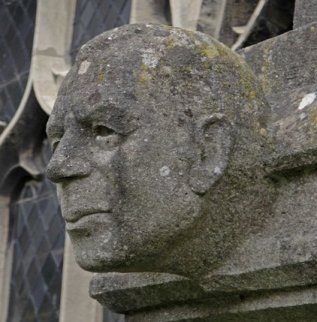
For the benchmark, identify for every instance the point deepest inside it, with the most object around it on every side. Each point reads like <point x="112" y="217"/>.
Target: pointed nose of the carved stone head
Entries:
<point x="67" y="163"/>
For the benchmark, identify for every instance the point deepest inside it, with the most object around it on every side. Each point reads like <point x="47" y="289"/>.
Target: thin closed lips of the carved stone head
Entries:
<point x="88" y="219"/>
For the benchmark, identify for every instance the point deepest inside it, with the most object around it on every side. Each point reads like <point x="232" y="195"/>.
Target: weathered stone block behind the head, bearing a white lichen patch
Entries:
<point x="284" y="66"/>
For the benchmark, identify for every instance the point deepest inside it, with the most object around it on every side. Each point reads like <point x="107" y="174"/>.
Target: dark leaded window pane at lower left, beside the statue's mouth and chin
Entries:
<point x="37" y="237"/>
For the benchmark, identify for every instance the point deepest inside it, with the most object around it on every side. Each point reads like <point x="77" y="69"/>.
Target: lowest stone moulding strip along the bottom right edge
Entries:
<point x="294" y="305"/>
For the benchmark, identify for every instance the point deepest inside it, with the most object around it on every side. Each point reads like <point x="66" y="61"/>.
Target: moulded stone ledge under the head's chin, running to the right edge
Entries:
<point x="162" y="297"/>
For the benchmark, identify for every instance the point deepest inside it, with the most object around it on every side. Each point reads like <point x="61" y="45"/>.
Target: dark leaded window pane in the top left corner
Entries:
<point x="17" y="20"/>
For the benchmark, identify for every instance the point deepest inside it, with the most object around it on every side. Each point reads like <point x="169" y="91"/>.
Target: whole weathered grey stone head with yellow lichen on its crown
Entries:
<point x="158" y="135"/>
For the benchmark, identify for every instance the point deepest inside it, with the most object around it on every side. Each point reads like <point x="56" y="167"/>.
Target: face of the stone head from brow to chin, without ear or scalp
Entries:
<point x="122" y="178"/>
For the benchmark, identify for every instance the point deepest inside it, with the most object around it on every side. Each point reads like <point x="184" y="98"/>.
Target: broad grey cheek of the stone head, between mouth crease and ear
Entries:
<point x="157" y="197"/>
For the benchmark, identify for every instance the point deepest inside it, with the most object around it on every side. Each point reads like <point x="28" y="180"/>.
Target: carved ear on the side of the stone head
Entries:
<point x="214" y="138"/>
